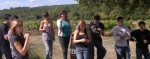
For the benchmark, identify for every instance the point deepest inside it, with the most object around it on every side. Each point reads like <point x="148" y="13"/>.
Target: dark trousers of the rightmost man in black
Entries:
<point x="139" y="53"/>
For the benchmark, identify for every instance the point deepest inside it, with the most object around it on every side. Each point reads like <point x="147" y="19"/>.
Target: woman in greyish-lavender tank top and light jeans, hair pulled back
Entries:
<point x="48" y="35"/>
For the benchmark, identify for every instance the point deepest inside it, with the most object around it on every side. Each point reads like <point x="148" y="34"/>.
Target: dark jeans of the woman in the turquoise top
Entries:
<point x="64" y="42"/>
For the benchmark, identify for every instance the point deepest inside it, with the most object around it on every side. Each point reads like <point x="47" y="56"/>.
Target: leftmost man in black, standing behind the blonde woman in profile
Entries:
<point x="4" y="43"/>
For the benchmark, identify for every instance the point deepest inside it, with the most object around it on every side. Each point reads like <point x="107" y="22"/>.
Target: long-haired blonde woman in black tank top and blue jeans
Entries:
<point x="82" y="38"/>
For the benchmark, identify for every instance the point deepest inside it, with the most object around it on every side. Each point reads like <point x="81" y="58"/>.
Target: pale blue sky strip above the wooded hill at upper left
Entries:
<point x="6" y="4"/>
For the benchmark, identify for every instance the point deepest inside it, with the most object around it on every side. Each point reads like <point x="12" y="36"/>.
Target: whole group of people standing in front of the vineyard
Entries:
<point x="14" y="44"/>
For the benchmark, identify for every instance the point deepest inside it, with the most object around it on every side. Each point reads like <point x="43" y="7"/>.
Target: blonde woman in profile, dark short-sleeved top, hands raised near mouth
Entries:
<point x="18" y="41"/>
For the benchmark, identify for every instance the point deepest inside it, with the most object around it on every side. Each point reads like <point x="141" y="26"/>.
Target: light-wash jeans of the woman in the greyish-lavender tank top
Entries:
<point x="48" y="48"/>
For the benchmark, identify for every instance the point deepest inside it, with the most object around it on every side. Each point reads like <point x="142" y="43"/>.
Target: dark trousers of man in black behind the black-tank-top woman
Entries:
<point x="101" y="51"/>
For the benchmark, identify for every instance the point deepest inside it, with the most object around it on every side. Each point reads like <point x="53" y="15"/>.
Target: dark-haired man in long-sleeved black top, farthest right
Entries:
<point x="142" y="38"/>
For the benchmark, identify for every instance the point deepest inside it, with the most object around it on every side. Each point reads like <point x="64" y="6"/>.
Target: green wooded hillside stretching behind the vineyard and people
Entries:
<point x="75" y="12"/>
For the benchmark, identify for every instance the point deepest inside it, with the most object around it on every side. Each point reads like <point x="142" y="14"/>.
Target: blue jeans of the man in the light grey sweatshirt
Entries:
<point x="122" y="52"/>
